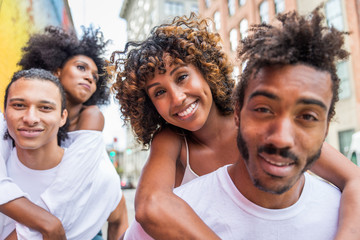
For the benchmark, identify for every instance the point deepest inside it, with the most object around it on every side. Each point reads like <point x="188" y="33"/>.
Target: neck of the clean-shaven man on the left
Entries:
<point x="41" y="159"/>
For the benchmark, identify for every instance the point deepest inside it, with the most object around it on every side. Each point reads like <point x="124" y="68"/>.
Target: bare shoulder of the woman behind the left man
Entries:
<point x="91" y="118"/>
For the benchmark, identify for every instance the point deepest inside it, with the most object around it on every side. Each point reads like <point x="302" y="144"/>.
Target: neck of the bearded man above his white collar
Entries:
<point x="240" y="176"/>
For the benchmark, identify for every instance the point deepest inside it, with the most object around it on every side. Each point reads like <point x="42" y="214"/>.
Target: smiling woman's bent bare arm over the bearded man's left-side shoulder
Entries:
<point x="161" y="213"/>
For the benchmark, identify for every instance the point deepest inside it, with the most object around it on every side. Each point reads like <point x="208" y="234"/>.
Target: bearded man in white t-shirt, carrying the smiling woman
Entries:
<point x="283" y="105"/>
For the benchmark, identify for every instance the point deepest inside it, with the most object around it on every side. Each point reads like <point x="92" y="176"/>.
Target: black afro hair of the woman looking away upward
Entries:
<point x="53" y="48"/>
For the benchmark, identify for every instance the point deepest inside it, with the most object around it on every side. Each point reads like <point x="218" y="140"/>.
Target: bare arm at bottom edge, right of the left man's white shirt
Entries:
<point x="118" y="221"/>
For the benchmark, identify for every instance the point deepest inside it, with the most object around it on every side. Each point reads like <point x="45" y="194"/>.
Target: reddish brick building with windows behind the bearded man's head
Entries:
<point x="232" y="19"/>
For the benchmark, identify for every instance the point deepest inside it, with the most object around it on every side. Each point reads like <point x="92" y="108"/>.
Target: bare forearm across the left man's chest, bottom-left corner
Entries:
<point x="27" y="213"/>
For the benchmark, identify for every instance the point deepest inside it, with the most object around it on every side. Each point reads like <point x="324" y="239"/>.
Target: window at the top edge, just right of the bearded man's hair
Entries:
<point x="334" y="14"/>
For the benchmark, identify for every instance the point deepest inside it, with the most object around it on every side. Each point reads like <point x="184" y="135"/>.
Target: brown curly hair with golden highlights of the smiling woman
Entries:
<point x="186" y="41"/>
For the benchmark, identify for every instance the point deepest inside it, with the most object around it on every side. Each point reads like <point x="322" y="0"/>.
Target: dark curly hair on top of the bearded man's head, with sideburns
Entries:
<point x="298" y="40"/>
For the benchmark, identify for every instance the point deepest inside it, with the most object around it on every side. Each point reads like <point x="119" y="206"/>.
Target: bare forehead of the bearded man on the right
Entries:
<point x="303" y="80"/>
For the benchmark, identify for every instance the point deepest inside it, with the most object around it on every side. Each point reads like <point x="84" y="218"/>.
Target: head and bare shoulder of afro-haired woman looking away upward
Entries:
<point x="79" y="65"/>
